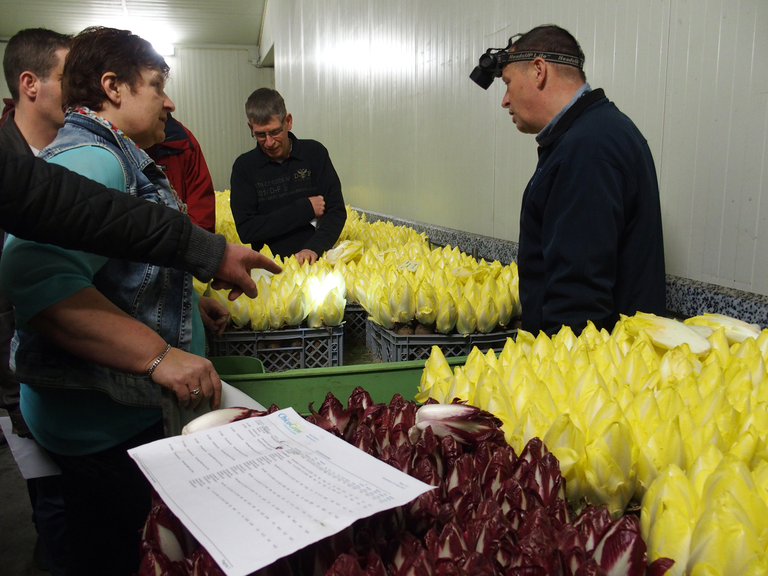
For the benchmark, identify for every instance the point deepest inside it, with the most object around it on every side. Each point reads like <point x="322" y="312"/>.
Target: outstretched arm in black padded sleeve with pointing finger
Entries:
<point x="50" y="204"/>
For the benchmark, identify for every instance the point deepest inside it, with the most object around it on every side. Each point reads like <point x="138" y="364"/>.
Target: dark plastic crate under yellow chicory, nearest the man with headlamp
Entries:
<point x="390" y="347"/>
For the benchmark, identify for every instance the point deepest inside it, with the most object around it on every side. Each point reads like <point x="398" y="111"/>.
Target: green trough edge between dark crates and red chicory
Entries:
<point x="297" y="388"/>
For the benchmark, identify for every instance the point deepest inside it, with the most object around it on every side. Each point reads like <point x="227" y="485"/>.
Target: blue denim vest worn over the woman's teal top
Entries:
<point x="159" y="297"/>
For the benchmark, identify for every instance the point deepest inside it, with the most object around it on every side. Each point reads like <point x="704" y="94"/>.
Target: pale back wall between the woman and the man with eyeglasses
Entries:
<point x="209" y="88"/>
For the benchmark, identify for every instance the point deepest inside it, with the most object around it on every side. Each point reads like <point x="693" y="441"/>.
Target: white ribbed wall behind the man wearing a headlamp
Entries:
<point x="383" y="84"/>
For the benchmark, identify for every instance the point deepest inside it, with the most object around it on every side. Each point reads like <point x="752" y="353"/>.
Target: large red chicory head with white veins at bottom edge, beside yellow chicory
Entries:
<point x="621" y="550"/>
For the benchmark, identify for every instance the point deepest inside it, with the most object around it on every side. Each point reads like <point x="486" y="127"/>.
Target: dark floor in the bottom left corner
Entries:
<point x="17" y="533"/>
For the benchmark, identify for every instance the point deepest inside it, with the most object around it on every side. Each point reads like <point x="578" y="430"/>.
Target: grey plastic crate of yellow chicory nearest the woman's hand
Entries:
<point x="287" y="349"/>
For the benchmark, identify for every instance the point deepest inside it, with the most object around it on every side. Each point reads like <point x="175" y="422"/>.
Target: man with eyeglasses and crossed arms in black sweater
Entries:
<point x="285" y="193"/>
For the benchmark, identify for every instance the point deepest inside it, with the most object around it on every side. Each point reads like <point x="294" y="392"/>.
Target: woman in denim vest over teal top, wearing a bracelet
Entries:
<point x="107" y="350"/>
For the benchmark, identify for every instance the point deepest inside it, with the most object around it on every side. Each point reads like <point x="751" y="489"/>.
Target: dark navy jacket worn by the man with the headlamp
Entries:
<point x="591" y="243"/>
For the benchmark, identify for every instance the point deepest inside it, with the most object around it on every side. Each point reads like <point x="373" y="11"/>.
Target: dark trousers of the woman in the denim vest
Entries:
<point x="107" y="500"/>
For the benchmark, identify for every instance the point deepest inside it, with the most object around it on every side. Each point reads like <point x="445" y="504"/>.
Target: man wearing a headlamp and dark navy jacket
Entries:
<point x="591" y="244"/>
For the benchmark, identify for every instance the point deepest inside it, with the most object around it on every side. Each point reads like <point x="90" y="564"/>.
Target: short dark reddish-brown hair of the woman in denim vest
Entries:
<point x="98" y="50"/>
